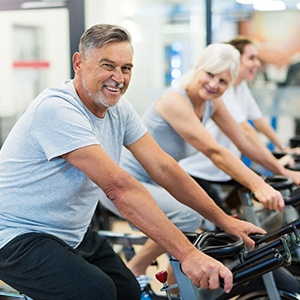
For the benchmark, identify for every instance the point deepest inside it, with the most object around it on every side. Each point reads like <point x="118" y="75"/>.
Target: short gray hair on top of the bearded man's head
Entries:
<point x="100" y="35"/>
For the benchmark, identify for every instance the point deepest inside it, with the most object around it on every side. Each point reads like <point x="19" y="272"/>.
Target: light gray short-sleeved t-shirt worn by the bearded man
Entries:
<point x="39" y="190"/>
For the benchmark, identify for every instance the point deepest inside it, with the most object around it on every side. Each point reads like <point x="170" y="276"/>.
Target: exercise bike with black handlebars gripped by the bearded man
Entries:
<point x="272" y="252"/>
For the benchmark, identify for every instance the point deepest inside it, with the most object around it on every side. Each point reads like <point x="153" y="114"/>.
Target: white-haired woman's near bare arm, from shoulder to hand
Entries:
<point x="182" y="117"/>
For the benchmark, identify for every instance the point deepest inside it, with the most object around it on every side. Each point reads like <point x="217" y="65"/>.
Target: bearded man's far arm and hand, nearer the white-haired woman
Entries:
<point x="164" y="170"/>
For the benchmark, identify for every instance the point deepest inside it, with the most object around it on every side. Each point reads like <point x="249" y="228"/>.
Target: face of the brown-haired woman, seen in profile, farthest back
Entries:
<point x="250" y="63"/>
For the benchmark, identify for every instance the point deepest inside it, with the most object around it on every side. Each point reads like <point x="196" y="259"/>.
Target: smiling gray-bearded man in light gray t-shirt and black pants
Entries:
<point x="55" y="162"/>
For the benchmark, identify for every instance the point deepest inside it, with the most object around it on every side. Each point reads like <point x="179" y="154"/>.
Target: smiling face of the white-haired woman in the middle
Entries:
<point x="211" y="86"/>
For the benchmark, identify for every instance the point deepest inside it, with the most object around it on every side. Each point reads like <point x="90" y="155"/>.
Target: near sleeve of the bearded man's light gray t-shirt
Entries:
<point x="59" y="127"/>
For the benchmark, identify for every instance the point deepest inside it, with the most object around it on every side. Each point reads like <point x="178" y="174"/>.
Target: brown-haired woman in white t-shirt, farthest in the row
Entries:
<point x="243" y="107"/>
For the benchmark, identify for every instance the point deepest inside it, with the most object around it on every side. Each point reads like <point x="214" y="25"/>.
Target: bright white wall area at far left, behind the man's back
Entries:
<point x="53" y="25"/>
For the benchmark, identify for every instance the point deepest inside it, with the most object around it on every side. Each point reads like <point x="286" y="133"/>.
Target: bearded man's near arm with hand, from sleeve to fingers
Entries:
<point x="137" y="205"/>
